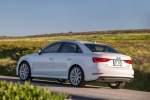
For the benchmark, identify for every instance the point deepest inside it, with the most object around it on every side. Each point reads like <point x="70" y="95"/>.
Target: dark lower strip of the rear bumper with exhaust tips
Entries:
<point x="114" y="79"/>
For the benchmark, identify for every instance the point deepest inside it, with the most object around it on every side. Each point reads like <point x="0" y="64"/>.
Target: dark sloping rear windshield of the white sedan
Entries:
<point x="101" y="48"/>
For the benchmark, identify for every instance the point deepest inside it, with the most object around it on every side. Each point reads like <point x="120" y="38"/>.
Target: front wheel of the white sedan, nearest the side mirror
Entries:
<point x="25" y="72"/>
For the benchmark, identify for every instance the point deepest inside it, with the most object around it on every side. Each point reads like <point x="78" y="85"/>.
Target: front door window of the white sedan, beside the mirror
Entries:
<point x="52" y="48"/>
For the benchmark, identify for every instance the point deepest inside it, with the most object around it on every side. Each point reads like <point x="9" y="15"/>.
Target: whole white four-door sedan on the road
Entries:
<point x="78" y="62"/>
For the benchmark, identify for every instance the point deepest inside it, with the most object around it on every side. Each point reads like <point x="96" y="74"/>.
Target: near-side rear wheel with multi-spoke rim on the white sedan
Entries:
<point x="77" y="79"/>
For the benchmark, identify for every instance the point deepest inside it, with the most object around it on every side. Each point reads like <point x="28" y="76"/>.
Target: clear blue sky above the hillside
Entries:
<point x="30" y="17"/>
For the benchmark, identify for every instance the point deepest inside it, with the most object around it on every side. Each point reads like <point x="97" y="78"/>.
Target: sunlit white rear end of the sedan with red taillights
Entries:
<point x="113" y="67"/>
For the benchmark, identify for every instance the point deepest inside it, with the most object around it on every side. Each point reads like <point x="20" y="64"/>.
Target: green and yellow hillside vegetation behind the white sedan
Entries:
<point x="133" y="43"/>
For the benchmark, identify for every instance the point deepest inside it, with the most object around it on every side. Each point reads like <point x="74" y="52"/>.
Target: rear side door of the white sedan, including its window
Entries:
<point x="64" y="59"/>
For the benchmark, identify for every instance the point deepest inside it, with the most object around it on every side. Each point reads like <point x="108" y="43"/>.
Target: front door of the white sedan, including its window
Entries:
<point x="43" y="63"/>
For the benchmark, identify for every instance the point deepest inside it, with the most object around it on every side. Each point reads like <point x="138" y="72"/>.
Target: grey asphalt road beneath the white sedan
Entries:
<point x="88" y="92"/>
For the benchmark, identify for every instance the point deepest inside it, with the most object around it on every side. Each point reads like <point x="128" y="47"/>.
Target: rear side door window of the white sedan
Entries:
<point x="70" y="48"/>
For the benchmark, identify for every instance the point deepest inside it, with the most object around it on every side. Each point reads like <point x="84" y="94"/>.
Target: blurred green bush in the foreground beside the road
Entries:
<point x="17" y="91"/>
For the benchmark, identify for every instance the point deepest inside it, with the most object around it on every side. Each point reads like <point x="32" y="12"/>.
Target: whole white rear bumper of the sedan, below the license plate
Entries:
<point x="109" y="74"/>
